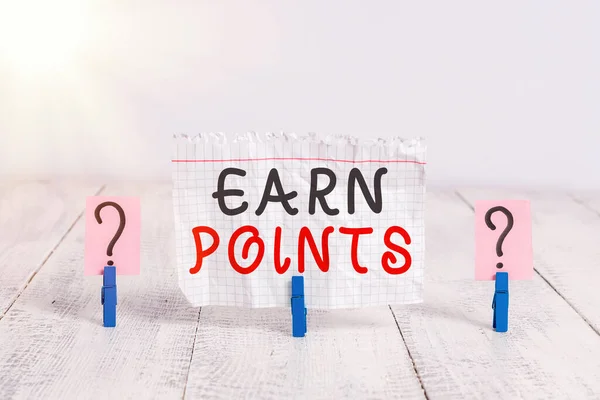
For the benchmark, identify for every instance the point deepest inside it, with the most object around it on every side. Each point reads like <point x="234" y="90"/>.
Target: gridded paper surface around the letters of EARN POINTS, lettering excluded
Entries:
<point x="196" y="169"/>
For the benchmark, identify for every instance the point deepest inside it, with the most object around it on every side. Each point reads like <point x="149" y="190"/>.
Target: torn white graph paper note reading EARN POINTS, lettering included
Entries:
<point x="249" y="209"/>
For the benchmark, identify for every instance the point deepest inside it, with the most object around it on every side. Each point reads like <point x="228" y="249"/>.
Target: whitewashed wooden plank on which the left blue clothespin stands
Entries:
<point x="53" y="344"/>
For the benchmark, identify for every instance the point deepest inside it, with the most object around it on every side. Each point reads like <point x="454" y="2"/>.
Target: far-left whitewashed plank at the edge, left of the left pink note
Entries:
<point x="34" y="217"/>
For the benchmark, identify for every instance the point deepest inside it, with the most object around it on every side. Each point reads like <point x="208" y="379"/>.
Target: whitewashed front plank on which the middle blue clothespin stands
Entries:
<point x="346" y="354"/>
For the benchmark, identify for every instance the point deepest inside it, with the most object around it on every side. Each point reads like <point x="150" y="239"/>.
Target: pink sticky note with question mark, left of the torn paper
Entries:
<point x="98" y="236"/>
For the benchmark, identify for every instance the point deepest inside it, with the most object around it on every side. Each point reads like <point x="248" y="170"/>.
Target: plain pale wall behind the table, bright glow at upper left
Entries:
<point x="506" y="93"/>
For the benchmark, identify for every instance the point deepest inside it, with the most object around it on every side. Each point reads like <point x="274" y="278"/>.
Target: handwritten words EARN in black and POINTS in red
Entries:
<point x="375" y="203"/>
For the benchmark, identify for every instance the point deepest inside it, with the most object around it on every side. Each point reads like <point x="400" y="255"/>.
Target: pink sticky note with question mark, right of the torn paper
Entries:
<point x="516" y="248"/>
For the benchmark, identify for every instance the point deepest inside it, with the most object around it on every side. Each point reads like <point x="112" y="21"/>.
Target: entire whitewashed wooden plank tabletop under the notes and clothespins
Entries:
<point x="53" y="344"/>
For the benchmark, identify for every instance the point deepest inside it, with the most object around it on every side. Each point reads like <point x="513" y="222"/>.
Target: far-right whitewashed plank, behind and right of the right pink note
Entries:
<point x="565" y="242"/>
